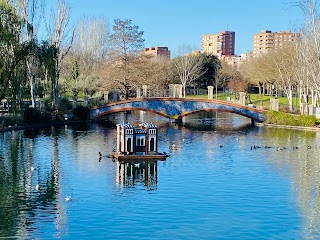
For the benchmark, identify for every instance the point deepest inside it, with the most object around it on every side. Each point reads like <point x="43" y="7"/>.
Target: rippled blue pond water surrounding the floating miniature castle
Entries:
<point x="213" y="186"/>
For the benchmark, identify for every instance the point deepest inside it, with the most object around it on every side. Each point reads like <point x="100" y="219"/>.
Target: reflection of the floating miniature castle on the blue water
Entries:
<point x="132" y="172"/>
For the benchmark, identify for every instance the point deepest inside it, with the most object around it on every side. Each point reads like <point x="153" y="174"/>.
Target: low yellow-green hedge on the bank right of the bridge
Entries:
<point x="281" y="118"/>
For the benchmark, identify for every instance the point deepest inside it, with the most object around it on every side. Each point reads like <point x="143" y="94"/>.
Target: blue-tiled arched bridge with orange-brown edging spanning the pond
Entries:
<point x="176" y="108"/>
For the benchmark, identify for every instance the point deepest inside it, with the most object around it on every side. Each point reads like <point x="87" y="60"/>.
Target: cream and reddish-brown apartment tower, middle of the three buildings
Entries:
<point x="219" y="44"/>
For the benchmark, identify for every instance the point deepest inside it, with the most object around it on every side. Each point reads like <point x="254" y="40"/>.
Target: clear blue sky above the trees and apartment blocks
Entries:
<point x="174" y="23"/>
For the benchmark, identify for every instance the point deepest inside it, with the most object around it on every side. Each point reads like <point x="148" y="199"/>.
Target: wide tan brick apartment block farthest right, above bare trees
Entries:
<point x="266" y="40"/>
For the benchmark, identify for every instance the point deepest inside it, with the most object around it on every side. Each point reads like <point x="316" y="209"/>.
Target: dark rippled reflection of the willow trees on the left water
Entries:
<point x="21" y="202"/>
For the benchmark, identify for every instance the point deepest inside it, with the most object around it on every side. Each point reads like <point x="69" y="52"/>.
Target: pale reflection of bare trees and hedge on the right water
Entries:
<point x="302" y="160"/>
